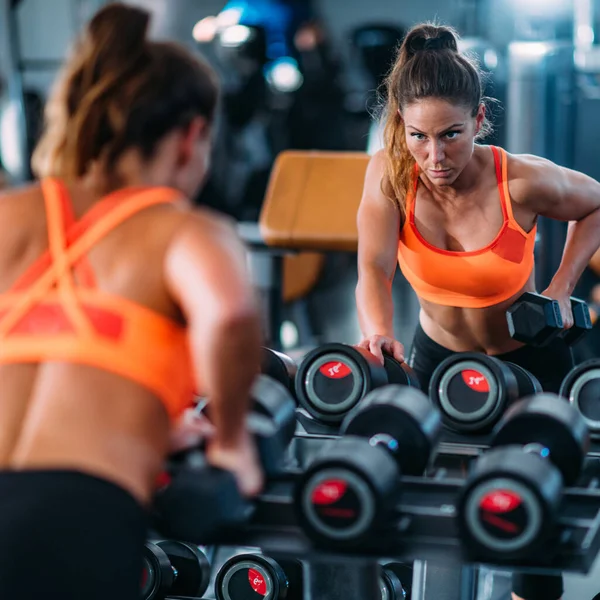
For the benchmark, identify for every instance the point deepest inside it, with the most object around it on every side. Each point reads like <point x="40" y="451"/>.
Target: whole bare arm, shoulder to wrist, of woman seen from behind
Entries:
<point x="206" y="273"/>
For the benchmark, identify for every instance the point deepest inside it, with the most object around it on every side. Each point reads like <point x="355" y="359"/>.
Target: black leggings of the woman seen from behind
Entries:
<point x="68" y="536"/>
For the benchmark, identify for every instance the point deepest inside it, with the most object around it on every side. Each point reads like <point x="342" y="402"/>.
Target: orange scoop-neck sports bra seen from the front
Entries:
<point x="474" y="279"/>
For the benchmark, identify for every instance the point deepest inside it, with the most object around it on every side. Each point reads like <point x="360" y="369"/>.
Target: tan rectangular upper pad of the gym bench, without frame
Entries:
<point x="312" y="200"/>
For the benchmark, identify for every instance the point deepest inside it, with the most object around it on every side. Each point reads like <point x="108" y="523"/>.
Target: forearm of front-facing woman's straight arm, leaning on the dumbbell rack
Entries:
<point x="374" y="304"/>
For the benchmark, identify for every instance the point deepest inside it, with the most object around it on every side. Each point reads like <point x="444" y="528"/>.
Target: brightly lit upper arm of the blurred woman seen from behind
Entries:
<point x="206" y="272"/>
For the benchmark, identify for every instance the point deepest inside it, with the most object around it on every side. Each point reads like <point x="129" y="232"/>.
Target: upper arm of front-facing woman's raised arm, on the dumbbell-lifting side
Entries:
<point x="553" y="191"/>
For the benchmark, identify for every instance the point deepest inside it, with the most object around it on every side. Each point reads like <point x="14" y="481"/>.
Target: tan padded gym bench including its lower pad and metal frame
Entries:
<point x="310" y="207"/>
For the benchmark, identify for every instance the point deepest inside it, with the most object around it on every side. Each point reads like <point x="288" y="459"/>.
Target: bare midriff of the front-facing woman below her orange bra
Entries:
<point x="472" y="329"/>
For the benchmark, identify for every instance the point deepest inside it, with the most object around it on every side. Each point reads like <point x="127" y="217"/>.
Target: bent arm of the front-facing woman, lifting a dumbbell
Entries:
<point x="565" y="195"/>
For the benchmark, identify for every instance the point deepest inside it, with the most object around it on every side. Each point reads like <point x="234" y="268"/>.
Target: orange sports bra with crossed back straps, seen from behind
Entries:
<point x="47" y="316"/>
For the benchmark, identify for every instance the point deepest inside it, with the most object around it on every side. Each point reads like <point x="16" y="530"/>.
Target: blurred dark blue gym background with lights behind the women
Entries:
<point x="304" y="74"/>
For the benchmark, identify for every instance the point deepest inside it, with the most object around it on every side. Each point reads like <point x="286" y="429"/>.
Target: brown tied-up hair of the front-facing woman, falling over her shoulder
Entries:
<point x="428" y="65"/>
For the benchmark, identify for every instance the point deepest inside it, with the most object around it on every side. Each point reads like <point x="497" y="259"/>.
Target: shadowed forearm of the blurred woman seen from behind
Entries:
<point x="229" y="365"/>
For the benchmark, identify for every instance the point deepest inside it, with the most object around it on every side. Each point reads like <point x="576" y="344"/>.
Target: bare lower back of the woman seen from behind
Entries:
<point x="84" y="419"/>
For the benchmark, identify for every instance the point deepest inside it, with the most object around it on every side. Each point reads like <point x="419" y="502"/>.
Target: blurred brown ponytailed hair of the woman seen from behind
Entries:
<point x="119" y="90"/>
